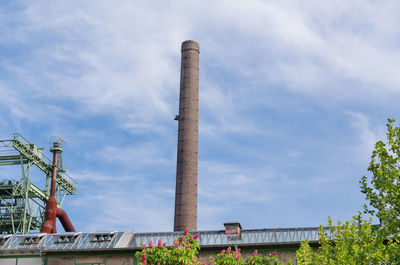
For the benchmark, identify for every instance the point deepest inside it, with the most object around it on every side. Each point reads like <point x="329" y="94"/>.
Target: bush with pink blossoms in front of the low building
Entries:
<point x="185" y="252"/>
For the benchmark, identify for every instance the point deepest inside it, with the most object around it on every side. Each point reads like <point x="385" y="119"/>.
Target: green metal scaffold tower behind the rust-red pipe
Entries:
<point x="22" y="203"/>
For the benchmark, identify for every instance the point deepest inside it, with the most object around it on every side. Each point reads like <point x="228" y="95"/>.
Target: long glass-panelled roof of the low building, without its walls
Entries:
<point x="132" y="241"/>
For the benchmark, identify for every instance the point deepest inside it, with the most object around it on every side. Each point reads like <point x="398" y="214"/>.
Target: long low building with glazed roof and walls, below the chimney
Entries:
<point x="112" y="248"/>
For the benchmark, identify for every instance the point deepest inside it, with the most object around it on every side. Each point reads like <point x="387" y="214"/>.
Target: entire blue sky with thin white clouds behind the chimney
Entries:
<point x="293" y="96"/>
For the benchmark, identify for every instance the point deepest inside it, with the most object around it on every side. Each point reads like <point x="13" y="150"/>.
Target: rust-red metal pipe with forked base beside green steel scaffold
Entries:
<point x="52" y="211"/>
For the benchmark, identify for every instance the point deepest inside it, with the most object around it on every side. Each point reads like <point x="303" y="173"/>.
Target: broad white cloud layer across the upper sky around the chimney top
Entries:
<point x="123" y="59"/>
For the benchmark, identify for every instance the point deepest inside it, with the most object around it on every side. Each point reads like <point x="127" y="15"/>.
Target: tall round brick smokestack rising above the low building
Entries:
<point x="186" y="169"/>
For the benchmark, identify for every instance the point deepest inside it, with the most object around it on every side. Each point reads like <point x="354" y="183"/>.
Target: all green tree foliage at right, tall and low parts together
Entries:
<point x="358" y="241"/>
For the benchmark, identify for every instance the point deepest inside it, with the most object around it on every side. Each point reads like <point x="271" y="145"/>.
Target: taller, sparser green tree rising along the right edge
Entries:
<point x="383" y="192"/>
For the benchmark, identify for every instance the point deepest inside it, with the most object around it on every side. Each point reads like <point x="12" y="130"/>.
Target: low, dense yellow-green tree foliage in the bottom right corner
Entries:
<point x="354" y="242"/>
